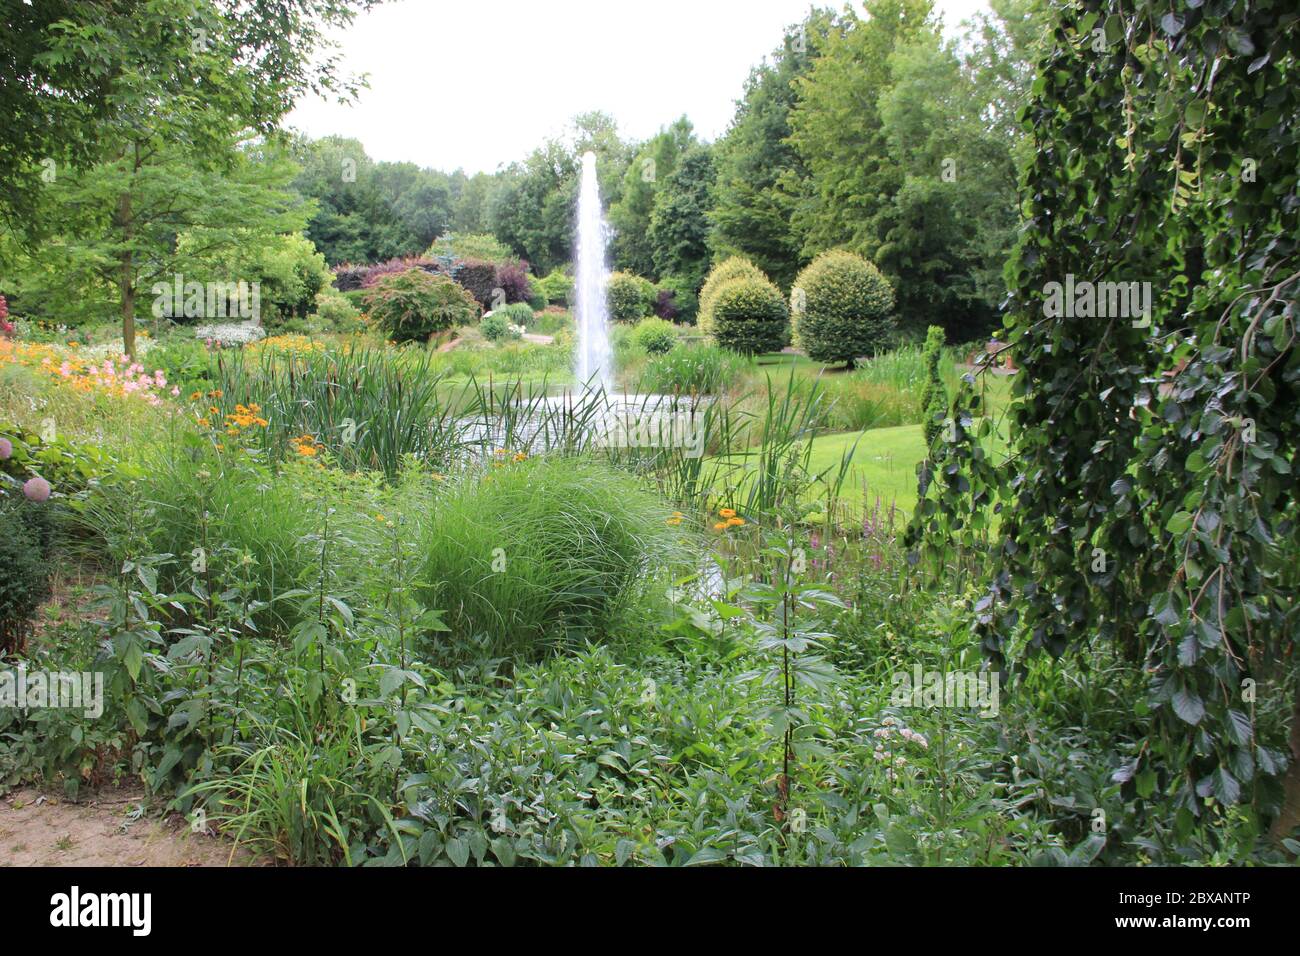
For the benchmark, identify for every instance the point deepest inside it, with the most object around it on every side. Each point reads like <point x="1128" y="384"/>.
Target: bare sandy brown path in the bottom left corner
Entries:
<point x="41" y="830"/>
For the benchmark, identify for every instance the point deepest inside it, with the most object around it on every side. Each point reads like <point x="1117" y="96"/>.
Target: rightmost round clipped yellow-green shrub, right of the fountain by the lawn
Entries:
<point x="842" y="308"/>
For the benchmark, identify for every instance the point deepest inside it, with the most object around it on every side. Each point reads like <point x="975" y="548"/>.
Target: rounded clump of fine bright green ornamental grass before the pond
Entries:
<point x="543" y="553"/>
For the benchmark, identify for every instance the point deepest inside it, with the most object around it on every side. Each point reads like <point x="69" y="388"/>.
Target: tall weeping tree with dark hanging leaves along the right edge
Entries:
<point x="1151" y="496"/>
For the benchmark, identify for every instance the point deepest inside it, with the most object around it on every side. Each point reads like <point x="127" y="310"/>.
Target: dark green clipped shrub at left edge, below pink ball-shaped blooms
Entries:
<point x="25" y="535"/>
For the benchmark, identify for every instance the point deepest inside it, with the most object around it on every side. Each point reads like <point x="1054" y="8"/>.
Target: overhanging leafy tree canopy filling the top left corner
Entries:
<point x="79" y="71"/>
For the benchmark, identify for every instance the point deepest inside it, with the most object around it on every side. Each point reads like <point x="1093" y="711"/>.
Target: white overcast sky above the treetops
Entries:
<point x="479" y="84"/>
